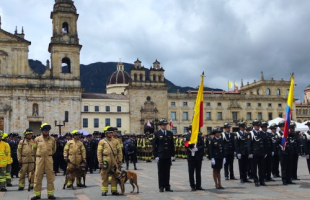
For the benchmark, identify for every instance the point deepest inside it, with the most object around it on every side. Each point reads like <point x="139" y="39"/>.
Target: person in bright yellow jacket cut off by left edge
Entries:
<point x="3" y="162"/>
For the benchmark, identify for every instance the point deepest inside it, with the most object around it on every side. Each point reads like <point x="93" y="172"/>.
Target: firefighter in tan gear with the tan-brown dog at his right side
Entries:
<point x="107" y="155"/>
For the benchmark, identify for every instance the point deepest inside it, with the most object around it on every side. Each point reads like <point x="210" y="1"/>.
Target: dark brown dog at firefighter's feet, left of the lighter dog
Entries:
<point x="77" y="172"/>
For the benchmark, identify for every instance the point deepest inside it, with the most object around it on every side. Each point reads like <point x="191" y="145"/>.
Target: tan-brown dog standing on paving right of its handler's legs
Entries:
<point x="128" y="175"/>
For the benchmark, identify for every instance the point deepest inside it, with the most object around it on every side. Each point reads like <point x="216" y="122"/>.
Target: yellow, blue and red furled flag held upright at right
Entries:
<point x="290" y="101"/>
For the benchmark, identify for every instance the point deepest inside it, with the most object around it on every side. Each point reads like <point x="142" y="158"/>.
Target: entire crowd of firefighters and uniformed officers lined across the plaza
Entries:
<point x="258" y="148"/>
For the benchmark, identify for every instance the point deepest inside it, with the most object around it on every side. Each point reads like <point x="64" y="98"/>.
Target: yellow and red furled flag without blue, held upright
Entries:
<point x="198" y="114"/>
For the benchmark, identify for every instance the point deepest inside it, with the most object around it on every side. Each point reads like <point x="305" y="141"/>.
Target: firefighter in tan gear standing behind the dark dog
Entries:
<point x="74" y="155"/>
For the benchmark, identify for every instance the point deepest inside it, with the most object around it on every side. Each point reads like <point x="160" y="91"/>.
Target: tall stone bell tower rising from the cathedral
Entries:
<point x="64" y="46"/>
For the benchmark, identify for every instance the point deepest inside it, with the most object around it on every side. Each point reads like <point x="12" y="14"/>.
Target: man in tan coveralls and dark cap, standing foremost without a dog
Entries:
<point x="44" y="147"/>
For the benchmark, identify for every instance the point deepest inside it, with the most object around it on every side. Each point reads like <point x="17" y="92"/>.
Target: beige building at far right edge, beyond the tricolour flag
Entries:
<point x="303" y="109"/>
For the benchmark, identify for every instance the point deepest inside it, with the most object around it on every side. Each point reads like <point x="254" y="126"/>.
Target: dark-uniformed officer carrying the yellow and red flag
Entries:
<point x="195" y="154"/>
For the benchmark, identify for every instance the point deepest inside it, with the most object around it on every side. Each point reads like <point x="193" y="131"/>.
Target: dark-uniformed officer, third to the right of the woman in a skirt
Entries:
<point x="257" y="152"/>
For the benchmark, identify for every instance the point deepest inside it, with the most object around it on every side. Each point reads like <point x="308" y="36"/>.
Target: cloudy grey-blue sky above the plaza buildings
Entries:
<point x="228" y="39"/>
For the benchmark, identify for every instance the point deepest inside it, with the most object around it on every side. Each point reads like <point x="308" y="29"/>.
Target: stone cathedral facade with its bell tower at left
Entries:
<point x="28" y="99"/>
